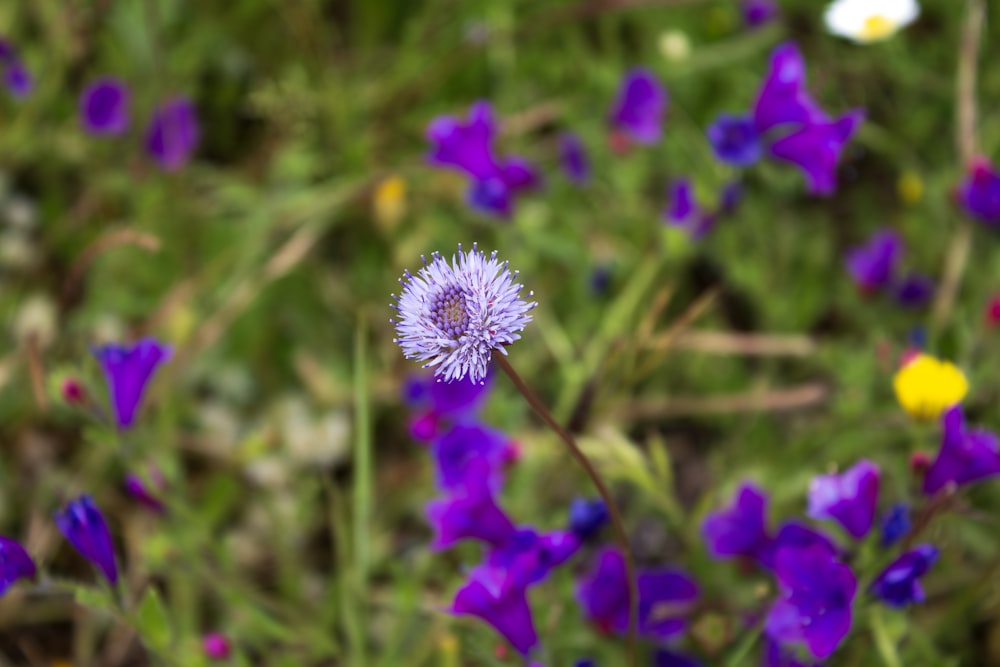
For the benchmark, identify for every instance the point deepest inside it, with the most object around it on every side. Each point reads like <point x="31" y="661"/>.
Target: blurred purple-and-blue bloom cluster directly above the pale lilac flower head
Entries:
<point x="468" y="147"/>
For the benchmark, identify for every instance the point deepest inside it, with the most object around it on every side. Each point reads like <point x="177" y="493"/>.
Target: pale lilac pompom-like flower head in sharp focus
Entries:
<point x="452" y="316"/>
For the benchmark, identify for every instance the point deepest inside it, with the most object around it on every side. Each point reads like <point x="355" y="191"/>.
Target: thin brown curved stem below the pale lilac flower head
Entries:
<point x="602" y="489"/>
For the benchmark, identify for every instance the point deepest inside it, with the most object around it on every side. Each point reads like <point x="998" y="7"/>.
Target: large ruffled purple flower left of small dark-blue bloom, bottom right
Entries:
<point x="814" y="600"/>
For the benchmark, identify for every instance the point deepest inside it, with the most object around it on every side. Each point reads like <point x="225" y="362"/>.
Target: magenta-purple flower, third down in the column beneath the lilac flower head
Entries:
<point x="470" y="513"/>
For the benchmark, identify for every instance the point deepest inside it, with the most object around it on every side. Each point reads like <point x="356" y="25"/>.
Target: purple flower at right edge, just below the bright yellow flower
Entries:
<point x="965" y="456"/>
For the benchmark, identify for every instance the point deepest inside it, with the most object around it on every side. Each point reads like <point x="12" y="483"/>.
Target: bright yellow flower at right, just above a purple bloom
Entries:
<point x="926" y="386"/>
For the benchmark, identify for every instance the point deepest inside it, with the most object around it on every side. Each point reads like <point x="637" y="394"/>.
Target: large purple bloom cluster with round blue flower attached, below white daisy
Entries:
<point x="786" y="124"/>
